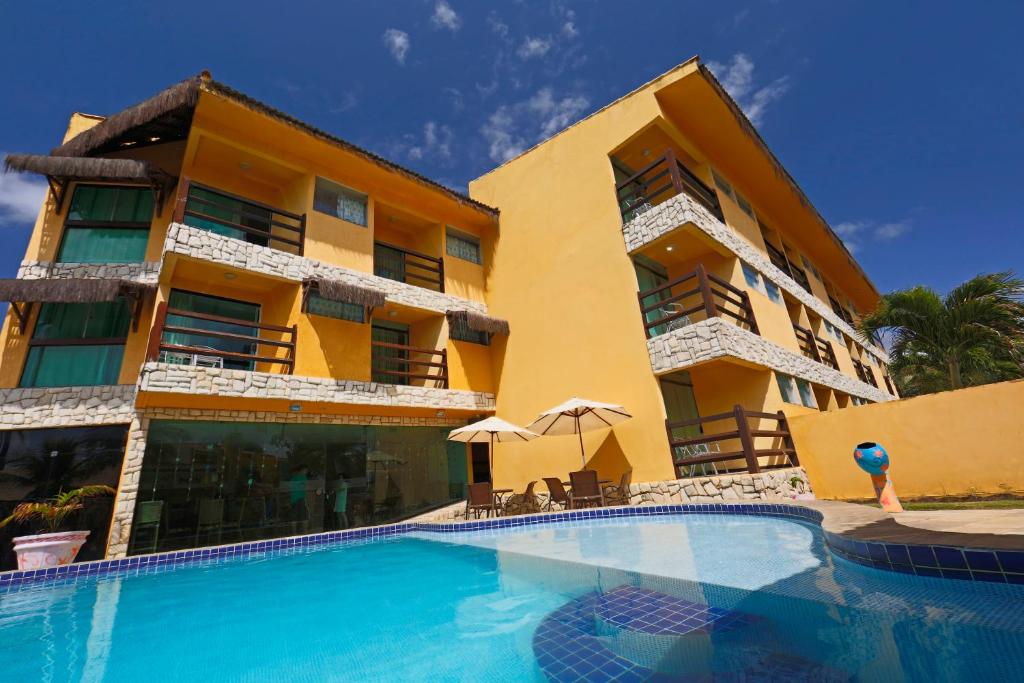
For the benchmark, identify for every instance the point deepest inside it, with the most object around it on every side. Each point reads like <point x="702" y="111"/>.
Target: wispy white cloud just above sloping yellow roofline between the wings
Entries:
<point x="513" y="129"/>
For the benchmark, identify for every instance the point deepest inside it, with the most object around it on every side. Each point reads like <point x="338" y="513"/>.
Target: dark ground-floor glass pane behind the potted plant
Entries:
<point x="39" y="463"/>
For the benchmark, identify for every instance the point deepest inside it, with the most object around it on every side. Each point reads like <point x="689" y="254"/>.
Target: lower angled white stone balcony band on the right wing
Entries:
<point x="716" y="338"/>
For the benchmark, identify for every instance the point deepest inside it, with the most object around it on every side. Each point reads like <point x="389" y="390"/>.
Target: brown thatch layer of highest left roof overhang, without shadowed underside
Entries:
<point x="181" y="99"/>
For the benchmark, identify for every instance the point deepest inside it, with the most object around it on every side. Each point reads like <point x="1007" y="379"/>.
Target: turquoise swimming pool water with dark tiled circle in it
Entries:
<point x="689" y="597"/>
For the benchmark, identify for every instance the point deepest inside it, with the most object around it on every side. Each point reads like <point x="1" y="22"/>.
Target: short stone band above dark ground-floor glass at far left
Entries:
<point x="67" y="407"/>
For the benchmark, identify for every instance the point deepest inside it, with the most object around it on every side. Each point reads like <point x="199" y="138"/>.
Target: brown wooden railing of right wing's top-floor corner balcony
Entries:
<point x="664" y="178"/>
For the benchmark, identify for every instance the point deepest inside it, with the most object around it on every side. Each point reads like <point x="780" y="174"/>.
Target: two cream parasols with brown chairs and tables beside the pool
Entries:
<point x="584" y="489"/>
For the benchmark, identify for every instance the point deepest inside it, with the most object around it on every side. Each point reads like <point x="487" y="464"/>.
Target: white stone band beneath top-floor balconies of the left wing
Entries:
<point x="226" y="251"/>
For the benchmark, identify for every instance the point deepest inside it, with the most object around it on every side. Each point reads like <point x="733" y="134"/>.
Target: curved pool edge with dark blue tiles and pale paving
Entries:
<point x="856" y="533"/>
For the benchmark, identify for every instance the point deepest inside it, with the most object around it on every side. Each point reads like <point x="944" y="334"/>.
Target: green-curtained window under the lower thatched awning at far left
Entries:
<point x="61" y="354"/>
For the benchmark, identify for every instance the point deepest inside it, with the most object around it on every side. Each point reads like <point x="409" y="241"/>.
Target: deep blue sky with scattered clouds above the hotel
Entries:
<point x="903" y="121"/>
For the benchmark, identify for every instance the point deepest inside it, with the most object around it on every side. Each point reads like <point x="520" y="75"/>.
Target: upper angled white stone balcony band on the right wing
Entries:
<point x="682" y="209"/>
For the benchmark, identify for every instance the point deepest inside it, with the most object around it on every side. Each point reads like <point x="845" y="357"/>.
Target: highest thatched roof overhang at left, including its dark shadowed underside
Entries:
<point x="166" y="117"/>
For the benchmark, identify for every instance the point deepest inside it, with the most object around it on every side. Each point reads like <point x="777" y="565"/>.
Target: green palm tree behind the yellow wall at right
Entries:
<point x="974" y="335"/>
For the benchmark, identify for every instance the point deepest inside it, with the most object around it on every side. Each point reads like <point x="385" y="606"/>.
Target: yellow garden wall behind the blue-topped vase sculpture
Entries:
<point x="950" y="444"/>
